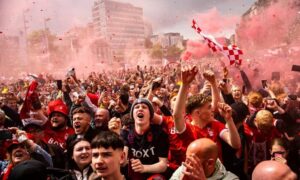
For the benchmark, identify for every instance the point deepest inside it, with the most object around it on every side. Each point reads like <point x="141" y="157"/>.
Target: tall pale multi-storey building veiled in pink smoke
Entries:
<point x="121" y="25"/>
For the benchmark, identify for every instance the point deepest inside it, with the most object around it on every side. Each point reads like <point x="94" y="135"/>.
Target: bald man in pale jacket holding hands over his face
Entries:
<point x="202" y="163"/>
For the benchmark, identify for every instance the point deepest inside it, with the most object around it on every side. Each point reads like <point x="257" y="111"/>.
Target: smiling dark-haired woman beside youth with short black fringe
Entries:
<point x="79" y="158"/>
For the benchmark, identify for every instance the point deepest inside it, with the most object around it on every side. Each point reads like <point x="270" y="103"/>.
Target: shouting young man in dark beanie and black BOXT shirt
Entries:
<point x="146" y="144"/>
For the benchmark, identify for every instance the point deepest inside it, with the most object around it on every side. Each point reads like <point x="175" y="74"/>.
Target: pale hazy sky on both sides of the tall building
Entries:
<point x="164" y="15"/>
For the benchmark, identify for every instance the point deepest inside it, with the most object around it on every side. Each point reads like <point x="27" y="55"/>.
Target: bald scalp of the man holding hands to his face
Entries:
<point x="204" y="148"/>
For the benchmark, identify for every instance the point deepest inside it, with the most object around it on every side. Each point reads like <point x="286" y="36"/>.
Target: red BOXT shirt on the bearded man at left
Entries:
<point x="57" y="137"/>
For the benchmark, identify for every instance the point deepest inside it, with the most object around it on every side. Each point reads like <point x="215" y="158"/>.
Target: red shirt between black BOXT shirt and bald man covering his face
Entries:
<point x="178" y="142"/>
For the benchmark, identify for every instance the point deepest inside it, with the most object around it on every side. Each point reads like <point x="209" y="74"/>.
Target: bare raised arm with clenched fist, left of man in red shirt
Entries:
<point x="187" y="76"/>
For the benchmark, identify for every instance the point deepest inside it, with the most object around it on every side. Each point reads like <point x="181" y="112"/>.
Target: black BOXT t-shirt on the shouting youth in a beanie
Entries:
<point x="147" y="147"/>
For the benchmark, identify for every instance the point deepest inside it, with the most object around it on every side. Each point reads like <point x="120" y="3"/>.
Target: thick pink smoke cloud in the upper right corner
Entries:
<point x="271" y="26"/>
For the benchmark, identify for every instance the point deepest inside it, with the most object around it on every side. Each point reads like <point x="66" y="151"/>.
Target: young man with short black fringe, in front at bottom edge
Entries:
<point x="107" y="156"/>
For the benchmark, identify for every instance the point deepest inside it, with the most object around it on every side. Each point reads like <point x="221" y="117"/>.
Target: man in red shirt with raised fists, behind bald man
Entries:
<point x="200" y="109"/>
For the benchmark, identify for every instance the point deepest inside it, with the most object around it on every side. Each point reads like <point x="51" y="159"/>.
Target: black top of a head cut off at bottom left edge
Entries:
<point x="30" y="169"/>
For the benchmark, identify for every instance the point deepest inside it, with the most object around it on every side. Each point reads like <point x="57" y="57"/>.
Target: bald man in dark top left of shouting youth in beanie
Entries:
<point x="101" y="119"/>
